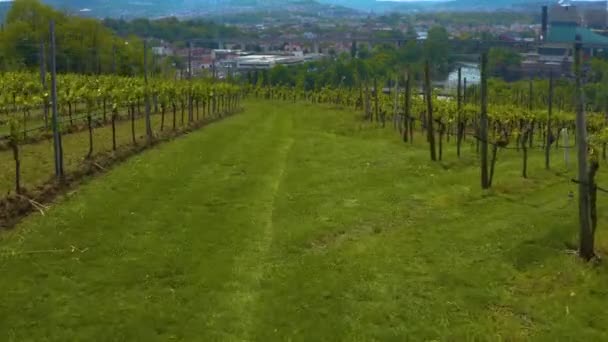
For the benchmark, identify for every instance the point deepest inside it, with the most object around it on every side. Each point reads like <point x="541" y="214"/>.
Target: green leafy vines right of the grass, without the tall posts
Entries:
<point x="535" y="115"/>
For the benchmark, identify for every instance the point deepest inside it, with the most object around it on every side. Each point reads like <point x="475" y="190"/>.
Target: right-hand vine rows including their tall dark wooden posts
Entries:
<point x="524" y="116"/>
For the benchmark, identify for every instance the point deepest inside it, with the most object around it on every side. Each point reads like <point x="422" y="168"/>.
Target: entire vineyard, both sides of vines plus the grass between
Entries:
<point x="341" y="213"/>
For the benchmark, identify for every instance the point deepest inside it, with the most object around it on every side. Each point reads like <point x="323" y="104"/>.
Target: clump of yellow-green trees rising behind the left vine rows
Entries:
<point x="82" y="45"/>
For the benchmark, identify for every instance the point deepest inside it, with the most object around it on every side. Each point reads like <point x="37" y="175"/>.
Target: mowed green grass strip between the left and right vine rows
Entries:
<point x="296" y="222"/>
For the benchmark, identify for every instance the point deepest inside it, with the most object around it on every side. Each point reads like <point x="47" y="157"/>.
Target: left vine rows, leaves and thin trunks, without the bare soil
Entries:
<point x="101" y="102"/>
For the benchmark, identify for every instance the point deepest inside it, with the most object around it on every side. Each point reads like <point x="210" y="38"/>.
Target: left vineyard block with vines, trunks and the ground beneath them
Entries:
<point x="101" y="118"/>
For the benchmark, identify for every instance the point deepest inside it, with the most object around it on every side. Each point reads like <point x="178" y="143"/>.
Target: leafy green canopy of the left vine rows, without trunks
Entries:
<point x="25" y="104"/>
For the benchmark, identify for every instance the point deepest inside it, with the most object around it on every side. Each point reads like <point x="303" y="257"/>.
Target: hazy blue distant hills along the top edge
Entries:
<point x="191" y="8"/>
